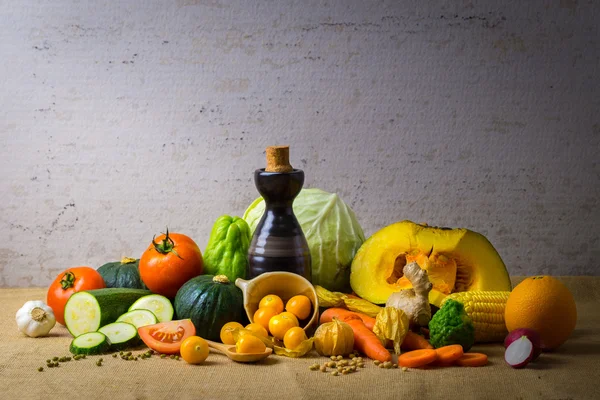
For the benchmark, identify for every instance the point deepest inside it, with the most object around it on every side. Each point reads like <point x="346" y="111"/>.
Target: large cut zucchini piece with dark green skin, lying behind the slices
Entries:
<point x="87" y="311"/>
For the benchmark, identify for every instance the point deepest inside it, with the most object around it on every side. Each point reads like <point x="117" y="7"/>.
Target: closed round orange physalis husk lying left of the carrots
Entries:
<point x="334" y="338"/>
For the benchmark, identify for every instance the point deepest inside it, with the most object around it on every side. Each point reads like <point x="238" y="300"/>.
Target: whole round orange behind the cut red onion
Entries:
<point x="544" y="304"/>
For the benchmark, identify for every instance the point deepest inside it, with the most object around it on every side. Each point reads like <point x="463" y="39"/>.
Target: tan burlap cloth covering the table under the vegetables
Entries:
<point x="572" y="372"/>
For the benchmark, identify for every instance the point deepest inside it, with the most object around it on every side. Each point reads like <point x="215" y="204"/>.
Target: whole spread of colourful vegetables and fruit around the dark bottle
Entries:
<point x="423" y="296"/>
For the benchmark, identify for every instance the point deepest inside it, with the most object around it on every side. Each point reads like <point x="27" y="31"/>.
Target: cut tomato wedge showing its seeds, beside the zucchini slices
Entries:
<point x="166" y="337"/>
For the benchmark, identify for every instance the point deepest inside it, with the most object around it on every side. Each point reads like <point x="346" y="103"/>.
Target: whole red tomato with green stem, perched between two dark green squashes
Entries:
<point x="170" y="261"/>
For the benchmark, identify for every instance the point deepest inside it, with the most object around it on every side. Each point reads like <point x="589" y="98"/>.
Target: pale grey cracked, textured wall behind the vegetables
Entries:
<point x="118" y="119"/>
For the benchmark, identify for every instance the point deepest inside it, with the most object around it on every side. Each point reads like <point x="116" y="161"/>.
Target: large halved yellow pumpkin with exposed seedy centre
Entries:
<point x="456" y="260"/>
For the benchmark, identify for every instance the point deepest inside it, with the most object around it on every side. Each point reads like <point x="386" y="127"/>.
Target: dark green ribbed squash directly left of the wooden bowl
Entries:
<point x="210" y="302"/>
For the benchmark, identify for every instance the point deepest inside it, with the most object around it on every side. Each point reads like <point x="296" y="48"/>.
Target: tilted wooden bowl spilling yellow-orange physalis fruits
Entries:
<point x="283" y="284"/>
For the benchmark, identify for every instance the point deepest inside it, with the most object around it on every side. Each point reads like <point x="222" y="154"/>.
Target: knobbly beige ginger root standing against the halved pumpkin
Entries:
<point x="415" y="301"/>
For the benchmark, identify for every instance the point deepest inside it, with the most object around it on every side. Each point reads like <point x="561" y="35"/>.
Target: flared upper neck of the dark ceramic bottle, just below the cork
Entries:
<point x="279" y="189"/>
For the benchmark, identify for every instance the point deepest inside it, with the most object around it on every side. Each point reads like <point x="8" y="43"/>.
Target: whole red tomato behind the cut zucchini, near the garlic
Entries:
<point x="68" y="282"/>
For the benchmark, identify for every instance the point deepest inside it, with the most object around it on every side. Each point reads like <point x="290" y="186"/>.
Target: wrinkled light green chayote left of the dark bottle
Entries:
<point x="227" y="250"/>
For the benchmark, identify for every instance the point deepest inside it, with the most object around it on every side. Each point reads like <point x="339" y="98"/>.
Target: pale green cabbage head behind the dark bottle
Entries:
<point x="332" y="232"/>
